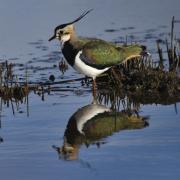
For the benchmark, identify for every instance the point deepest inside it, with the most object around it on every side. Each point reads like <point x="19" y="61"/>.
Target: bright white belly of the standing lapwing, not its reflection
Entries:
<point x="81" y="67"/>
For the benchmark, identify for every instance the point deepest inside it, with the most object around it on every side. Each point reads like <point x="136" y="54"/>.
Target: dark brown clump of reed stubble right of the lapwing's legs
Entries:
<point x="140" y="87"/>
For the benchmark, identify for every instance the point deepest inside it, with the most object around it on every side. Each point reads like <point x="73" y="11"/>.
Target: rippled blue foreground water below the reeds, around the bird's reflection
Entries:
<point x="27" y="152"/>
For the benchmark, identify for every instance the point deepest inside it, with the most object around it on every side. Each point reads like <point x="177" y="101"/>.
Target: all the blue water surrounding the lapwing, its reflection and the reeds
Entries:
<point x="26" y="151"/>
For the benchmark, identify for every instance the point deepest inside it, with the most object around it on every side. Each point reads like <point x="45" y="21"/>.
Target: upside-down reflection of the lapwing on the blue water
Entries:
<point x="91" y="124"/>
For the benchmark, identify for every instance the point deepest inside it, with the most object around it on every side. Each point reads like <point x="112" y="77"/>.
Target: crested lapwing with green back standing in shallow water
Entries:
<point x="92" y="56"/>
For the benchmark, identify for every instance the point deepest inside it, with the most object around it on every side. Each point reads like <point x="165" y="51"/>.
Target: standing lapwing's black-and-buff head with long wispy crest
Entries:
<point x="64" y="32"/>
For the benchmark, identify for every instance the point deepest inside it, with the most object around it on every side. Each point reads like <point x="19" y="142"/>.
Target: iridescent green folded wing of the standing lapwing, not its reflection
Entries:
<point x="99" y="53"/>
